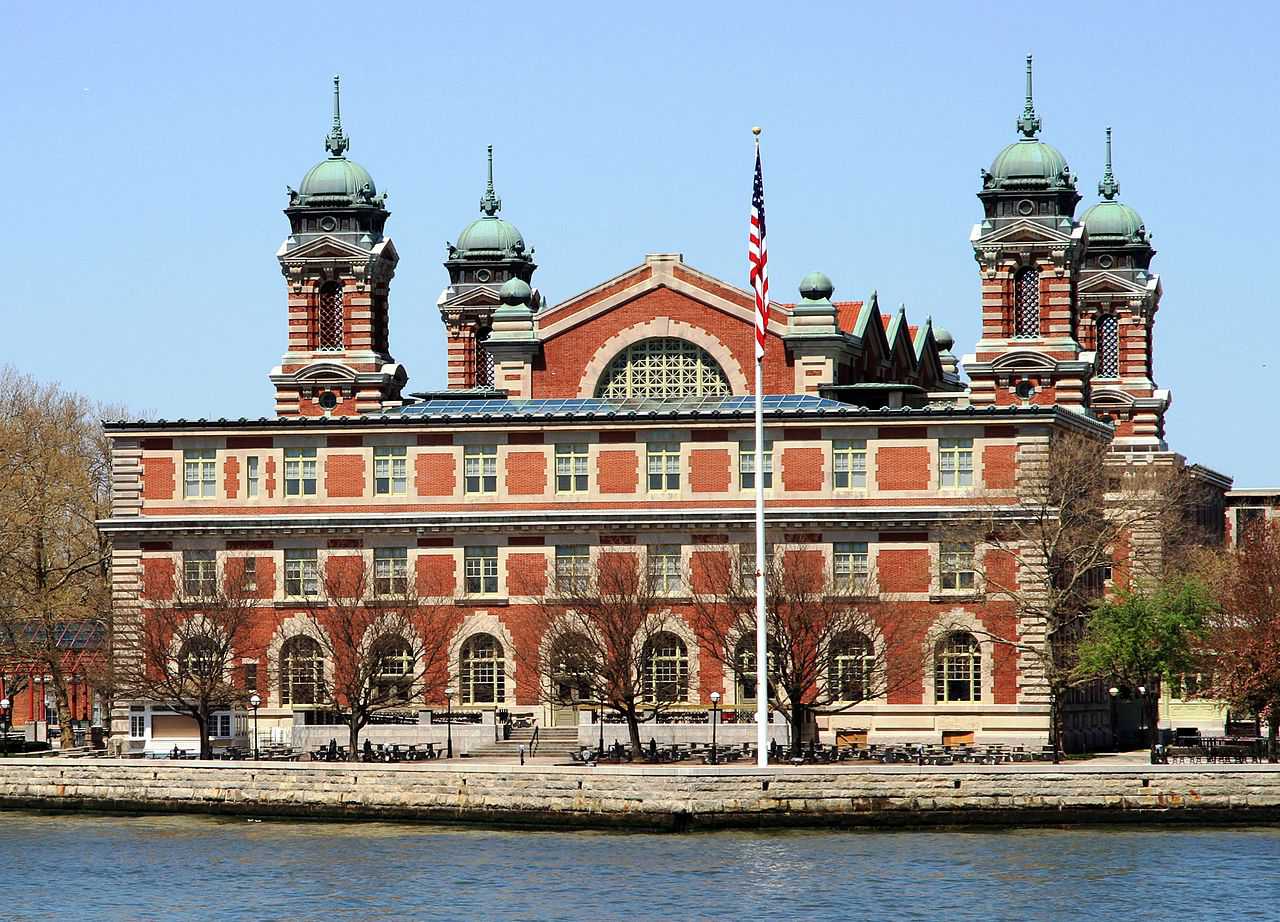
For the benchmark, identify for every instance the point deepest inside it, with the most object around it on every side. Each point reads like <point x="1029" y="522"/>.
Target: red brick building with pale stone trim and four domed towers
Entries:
<point x="621" y="418"/>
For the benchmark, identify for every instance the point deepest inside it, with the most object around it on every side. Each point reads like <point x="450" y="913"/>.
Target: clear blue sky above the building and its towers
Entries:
<point x="149" y="147"/>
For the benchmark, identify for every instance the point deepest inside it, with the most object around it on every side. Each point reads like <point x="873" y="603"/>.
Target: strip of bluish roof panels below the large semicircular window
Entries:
<point x="593" y="407"/>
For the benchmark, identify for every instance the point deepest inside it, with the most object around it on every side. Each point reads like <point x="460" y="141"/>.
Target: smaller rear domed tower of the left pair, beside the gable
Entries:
<point x="490" y="253"/>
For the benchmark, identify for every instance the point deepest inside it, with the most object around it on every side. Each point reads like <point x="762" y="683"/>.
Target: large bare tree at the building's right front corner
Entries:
<point x="1081" y="513"/>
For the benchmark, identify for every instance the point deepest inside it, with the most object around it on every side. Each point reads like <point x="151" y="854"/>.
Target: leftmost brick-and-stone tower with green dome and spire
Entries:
<point x="339" y="267"/>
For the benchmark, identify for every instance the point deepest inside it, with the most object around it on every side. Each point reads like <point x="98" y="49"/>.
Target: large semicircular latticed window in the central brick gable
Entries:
<point x="662" y="369"/>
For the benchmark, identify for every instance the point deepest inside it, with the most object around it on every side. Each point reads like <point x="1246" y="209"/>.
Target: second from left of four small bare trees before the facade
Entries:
<point x="383" y="643"/>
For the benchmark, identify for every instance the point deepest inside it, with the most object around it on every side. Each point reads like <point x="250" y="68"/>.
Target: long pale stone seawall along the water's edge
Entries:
<point x="653" y="798"/>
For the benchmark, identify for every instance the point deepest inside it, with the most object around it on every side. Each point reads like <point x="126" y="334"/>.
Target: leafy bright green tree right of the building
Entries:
<point x="1141" y="638"/>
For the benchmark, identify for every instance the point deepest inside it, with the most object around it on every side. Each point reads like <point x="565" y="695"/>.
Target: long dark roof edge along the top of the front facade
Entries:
<point x="637" y="416"/>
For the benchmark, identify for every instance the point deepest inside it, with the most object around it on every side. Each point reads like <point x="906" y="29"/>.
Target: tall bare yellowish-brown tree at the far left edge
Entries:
<point x="54" y="487"/>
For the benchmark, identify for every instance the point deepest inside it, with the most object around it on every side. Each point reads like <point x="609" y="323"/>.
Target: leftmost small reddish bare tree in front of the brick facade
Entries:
<point x="191" y="632"/>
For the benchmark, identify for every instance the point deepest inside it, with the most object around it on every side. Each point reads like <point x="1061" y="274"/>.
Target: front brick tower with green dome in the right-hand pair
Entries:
<point x="1028" y="250"/>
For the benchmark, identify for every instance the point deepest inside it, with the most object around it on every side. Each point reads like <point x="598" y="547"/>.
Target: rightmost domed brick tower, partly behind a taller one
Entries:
<point x="1119" y="298"/>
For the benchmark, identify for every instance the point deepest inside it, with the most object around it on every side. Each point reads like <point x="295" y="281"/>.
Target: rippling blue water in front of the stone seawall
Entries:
<point x="81" y="868"/>
